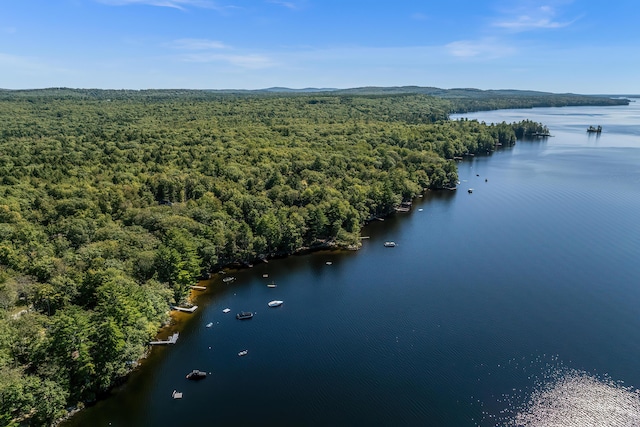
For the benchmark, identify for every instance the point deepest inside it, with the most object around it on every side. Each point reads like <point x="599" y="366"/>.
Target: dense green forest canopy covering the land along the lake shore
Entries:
<point x="112" y="203"/>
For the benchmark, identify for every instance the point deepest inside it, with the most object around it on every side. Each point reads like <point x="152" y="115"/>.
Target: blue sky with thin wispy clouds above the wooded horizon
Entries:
<point x="579" y="46"/>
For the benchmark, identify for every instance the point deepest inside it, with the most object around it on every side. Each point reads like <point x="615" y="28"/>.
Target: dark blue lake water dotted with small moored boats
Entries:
<point x="517" y="304"/>
